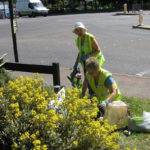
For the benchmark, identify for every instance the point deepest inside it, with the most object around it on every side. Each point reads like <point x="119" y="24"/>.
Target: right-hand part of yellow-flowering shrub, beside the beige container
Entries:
<point x="80" y="128"/>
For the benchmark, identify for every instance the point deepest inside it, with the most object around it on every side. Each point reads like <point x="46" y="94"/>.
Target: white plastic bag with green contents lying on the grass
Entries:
<point x="140" y="124"/>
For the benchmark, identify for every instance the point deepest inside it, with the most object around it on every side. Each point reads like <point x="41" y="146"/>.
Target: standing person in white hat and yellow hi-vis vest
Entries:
<point x="87" y="46"/>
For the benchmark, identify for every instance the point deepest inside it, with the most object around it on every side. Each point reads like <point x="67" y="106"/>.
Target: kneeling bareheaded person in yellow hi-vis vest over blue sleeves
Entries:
<point x="102" y="84"/>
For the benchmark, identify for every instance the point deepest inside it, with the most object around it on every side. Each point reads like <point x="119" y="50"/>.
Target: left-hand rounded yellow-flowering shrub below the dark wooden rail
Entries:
<point x="29" y="121"/>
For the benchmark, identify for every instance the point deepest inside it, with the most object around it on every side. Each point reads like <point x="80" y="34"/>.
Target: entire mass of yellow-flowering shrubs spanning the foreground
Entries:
<point x="31" y="122"/>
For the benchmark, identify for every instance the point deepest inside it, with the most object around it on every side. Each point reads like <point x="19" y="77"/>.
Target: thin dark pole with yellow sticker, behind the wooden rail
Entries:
<point x="13" y="30"/>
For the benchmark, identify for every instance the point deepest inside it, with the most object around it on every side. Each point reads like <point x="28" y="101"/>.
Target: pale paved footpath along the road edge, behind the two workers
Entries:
<point x="129" y="85"/>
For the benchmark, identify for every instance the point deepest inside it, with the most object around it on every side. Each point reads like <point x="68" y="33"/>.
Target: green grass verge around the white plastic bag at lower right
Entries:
<point x="140" y="141"/>
